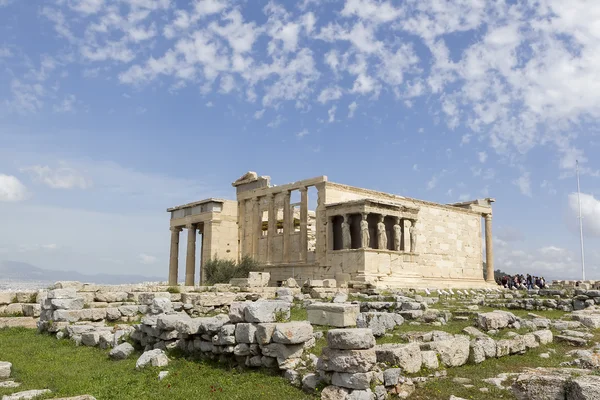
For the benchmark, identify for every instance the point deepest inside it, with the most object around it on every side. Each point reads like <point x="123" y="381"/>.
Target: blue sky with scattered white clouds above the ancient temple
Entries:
<point x="113" y="110"/>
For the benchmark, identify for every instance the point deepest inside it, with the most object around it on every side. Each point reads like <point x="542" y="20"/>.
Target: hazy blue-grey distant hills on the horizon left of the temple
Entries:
<point x="16" y="270"/>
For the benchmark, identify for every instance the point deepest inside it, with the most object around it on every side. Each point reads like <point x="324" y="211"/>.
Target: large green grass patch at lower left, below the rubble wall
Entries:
<point x="43" y="362"/>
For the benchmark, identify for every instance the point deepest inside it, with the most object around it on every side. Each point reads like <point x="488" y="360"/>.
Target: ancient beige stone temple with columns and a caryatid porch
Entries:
<point x="352" y="235"/>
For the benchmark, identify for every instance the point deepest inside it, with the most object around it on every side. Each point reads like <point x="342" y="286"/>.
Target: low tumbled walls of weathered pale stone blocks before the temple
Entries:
<point x="247" y="325"/>
